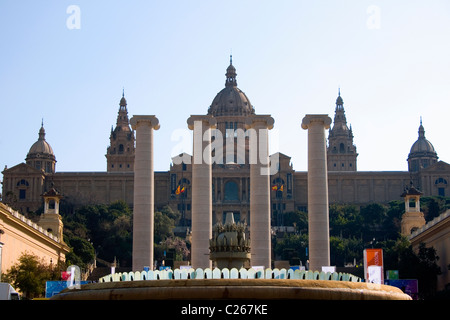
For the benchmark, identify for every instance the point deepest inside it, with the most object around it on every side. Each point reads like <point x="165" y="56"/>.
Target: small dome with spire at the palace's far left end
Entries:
<point x="41" y="154"/>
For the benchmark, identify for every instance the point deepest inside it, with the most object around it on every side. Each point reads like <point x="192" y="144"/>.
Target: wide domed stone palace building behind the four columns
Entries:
<point x="24" y="183"/>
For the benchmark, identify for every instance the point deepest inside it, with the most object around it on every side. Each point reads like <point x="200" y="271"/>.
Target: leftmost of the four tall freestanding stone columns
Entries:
<point x="143" y="204"/>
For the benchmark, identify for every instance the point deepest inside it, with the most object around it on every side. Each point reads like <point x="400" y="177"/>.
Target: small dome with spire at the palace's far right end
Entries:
<point x="422" y="153"/>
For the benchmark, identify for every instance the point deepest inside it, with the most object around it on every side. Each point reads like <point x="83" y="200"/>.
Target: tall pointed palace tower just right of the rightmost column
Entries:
<point x="341" y="152"/>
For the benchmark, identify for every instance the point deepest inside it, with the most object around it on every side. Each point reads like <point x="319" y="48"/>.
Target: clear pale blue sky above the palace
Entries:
<point x="391" y="60"/>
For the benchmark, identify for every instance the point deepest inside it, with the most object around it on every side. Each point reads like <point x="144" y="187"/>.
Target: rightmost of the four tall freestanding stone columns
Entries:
<point x="318" y="211"/>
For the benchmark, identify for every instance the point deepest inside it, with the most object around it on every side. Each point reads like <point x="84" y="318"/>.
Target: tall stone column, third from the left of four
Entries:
<point x="260" y="239"/>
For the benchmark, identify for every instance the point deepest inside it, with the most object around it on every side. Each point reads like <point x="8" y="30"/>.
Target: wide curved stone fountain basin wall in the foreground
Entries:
<point x="233" y="289"/>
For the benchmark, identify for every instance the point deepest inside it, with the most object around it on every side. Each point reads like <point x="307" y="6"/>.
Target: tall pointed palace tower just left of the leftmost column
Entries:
<point x="120" y="153"/>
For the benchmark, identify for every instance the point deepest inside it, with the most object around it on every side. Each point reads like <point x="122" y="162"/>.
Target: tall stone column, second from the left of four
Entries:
<point x="201" y="206"/>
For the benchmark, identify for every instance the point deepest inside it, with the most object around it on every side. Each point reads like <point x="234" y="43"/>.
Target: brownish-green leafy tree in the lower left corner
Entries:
<point x="29" y="275"/>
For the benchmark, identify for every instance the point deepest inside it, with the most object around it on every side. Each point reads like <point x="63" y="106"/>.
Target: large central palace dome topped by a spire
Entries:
<point x="231" y="101"/>
